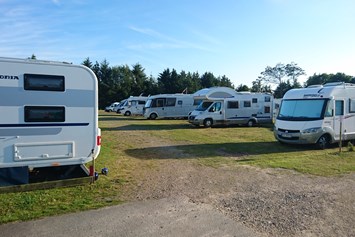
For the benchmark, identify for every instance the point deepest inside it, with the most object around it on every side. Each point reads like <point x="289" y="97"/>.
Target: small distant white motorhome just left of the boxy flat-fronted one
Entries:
<point x="133" y="106"/>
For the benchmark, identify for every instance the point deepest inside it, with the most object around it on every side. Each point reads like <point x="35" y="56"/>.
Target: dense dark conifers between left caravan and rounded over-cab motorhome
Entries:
<point x="119" y="82"/>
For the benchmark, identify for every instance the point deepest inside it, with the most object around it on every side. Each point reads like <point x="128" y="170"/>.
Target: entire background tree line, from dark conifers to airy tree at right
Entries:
<point x="119" y="82"/>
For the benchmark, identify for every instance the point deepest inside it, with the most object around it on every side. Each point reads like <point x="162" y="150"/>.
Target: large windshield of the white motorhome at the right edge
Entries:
<point x="302" y="110"/>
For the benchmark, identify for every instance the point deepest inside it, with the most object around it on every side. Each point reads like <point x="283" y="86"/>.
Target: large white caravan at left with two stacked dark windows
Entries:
<point x="49" y="120"/>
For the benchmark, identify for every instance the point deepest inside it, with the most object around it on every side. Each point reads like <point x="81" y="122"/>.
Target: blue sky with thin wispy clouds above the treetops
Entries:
<point x="235" y="38"/>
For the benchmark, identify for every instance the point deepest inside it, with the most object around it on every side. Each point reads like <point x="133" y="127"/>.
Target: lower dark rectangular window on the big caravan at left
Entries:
<point x="44" y="114"/>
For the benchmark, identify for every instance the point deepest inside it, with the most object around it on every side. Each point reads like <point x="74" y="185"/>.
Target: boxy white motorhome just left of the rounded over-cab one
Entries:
<point x="170" y="106"/>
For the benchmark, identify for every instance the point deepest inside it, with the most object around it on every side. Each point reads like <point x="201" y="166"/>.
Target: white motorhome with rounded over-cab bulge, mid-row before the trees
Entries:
<point x="225" y="106"/>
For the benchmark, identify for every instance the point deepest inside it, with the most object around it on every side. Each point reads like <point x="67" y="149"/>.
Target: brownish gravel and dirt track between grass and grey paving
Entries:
<point x="272" y="202"/>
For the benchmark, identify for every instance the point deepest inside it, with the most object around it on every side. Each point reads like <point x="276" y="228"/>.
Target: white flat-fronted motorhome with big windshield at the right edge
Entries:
<point x="321" y="115"/>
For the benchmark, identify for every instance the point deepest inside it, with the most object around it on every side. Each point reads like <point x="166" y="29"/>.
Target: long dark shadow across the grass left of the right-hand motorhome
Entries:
<point x="234" y="150"/>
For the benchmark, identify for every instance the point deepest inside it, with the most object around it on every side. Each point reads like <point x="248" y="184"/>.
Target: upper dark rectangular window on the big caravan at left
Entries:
<point x="38" y="82"/>
